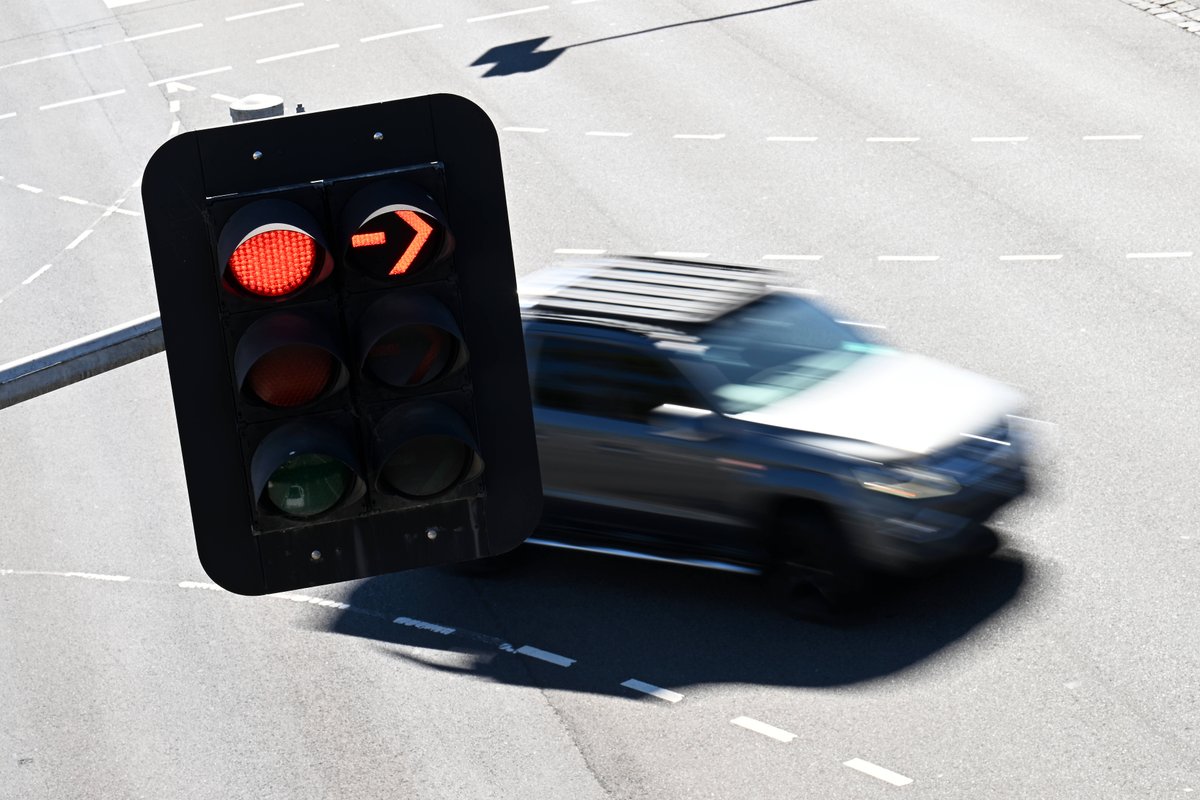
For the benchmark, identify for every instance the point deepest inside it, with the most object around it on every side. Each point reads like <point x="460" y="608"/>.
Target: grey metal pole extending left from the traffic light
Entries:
<point x="74" y="362"/>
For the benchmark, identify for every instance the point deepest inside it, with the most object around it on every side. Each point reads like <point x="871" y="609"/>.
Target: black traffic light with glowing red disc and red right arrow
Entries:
<point x="340" y="316"/>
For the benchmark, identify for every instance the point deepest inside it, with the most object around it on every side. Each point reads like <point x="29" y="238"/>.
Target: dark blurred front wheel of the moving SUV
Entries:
<point x="815" y="576"/>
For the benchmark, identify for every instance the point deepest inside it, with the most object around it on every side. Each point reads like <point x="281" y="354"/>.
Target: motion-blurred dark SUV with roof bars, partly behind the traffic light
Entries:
<point x="698" y="414"/>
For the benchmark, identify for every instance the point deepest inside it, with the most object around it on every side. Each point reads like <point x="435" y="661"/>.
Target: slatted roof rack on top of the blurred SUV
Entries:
<point x="655" y="293"/>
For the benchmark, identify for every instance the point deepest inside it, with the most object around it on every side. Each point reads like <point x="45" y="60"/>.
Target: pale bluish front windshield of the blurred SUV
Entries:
<point x="777" y="347"/>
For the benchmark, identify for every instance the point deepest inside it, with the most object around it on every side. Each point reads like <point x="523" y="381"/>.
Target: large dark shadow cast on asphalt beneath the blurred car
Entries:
<point x="665" y="625"/>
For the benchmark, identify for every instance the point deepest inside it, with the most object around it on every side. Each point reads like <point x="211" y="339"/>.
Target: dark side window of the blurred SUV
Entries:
<point x="609" y="381"/>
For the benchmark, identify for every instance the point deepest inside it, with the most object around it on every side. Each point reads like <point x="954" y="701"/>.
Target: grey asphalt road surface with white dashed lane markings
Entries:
<point x="1007" y="185"/>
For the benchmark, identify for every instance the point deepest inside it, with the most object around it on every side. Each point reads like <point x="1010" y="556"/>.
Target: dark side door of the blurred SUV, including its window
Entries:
<point x="610" y="461"/>
